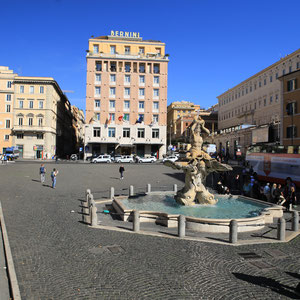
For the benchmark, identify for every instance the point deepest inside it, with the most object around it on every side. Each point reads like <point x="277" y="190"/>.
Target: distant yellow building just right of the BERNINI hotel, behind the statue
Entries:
<point x="179" y="109"/>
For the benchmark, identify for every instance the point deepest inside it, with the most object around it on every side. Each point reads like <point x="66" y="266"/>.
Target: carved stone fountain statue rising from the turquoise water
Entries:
<point x="197" y="165"/>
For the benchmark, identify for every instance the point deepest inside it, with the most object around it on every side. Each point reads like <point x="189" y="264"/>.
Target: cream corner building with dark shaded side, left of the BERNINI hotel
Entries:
<point x="42" y="119"/>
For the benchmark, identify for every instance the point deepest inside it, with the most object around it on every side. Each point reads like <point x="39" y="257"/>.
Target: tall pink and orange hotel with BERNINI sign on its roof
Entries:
<point x="126" y="95"/>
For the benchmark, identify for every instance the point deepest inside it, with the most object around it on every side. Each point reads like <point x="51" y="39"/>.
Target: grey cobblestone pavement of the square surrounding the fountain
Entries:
<point x="58" y="257"/>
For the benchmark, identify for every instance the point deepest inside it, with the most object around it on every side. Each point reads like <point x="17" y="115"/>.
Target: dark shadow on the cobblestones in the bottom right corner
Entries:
<point x="270" y="283"/>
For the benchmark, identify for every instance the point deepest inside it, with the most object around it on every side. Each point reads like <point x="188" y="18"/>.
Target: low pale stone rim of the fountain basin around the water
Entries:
<point x="219" y="225"/>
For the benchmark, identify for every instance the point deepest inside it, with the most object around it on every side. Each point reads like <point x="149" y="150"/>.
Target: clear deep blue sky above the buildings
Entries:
<point x="213" y="45"/>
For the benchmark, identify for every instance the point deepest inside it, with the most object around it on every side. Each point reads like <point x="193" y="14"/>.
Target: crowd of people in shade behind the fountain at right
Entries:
<point x="248" y="185"/>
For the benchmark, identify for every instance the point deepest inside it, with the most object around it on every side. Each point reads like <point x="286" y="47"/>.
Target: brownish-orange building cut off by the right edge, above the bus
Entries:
<point x="291" y="106"/>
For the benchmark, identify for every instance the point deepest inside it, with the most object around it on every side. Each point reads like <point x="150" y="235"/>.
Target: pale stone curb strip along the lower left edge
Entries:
<point x="10" y="264"/>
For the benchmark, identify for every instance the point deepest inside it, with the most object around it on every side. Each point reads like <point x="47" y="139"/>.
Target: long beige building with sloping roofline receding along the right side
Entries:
<point x="251" y="112"/>
